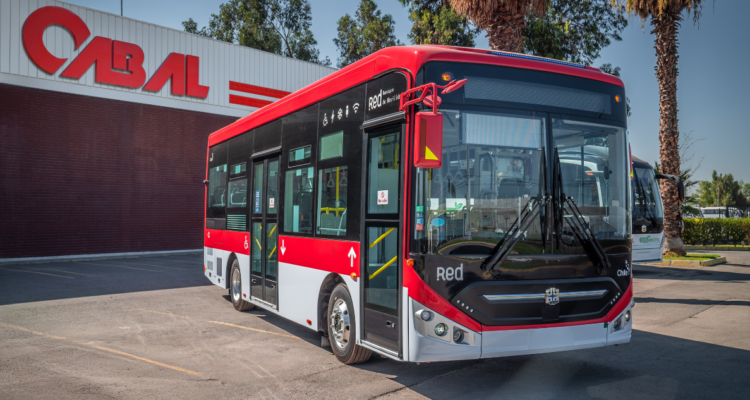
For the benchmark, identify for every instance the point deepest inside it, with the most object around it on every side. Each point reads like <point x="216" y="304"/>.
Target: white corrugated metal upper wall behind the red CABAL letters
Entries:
<point x="220" y="62"/>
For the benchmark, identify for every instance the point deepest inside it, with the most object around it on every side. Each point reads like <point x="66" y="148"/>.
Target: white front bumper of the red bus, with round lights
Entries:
<point x="425" y="345"/>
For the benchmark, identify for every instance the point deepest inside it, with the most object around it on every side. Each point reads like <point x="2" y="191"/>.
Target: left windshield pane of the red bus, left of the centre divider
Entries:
<point x="492" y="167"/>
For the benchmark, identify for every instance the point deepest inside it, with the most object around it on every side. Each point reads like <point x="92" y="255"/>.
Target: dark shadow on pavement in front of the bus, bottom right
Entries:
<point x="652" y="366"/>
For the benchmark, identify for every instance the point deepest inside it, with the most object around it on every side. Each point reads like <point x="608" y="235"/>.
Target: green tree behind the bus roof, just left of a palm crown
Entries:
<point x="435" y="22"/>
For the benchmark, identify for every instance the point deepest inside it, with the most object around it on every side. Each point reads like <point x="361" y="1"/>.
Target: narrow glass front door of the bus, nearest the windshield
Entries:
<point x="381" y="264"/>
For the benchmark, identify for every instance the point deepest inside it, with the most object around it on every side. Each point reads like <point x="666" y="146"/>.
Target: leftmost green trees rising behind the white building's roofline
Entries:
<point x="277" y="26"/>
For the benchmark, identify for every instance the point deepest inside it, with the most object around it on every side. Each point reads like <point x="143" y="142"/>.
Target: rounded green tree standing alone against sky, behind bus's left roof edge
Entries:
<point x="364" y="34"/>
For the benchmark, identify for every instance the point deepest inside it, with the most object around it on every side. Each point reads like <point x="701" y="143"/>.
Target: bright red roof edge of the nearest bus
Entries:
<point x="409" y="58"/>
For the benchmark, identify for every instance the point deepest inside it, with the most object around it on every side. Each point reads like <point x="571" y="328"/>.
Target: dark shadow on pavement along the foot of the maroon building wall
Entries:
<point x="23" y="283"/>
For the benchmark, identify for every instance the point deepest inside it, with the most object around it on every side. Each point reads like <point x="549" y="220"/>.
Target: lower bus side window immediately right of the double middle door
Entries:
<point x="298" y="198"/>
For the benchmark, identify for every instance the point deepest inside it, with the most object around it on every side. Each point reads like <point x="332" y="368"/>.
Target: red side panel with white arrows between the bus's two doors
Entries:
<point x="338" y="256"/>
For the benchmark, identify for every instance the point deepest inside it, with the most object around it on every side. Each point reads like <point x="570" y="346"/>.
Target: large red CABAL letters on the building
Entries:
<point x="109" y="56"/>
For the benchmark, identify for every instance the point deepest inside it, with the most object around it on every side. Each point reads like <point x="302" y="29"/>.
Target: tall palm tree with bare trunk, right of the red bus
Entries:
<point x="666" y="16"/>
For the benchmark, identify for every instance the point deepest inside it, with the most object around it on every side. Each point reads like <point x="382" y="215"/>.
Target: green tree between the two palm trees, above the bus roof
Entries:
<point x="574" y="30"/>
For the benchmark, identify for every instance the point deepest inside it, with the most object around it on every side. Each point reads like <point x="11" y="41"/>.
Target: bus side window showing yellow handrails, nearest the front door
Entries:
<point x="332" y="204"/>
